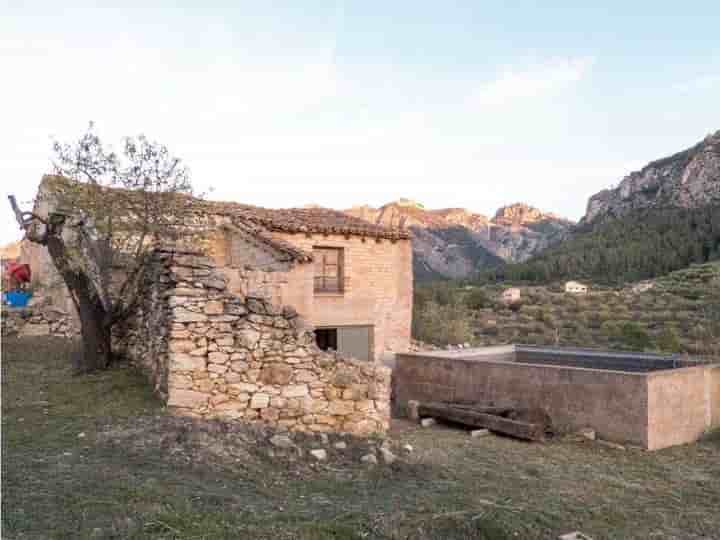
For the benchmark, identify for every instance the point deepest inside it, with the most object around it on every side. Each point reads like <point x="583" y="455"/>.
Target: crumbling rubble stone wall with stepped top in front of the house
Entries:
<point x="211" y="353"/>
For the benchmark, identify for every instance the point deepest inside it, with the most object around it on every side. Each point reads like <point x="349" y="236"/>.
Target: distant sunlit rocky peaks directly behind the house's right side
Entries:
<point x="456" y="243"/>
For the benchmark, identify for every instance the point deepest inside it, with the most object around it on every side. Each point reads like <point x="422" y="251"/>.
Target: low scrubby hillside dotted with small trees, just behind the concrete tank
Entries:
<point x="679" y="312"/>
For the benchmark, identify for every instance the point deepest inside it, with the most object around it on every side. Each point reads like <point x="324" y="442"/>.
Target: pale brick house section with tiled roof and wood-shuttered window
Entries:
<point x="348" y="278"/>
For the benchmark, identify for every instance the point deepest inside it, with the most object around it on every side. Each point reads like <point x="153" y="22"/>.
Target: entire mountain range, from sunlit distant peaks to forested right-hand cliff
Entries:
<point x="672" y="199"/>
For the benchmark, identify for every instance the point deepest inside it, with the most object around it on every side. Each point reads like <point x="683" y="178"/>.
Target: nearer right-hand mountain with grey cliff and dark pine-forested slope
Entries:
<point x="662" y="218"/>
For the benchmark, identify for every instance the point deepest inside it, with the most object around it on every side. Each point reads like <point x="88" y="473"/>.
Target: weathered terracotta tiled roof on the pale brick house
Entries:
<point x="308" y="220"/>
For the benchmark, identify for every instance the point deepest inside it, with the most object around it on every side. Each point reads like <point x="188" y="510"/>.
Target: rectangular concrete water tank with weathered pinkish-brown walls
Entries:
<point x="653" y="409"/>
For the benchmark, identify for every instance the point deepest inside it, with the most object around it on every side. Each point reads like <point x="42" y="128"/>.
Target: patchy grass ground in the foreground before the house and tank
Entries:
<point x="96" y="457"/>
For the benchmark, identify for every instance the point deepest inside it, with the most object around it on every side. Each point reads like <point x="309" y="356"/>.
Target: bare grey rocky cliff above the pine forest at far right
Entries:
<point x="688" y="179"/>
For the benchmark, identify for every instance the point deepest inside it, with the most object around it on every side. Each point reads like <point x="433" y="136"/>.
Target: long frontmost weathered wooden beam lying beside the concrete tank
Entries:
<point x="514" y="428"/>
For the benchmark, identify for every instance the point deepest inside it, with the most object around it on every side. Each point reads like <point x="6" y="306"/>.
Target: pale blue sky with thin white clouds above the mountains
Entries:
<point x="340" y="103"/>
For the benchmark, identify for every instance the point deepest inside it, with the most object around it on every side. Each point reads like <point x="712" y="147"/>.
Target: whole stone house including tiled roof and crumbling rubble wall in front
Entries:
<point x="277" y="316"/>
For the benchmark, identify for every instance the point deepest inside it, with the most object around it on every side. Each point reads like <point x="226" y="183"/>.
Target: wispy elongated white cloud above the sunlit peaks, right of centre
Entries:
<point x="532" y="81"/>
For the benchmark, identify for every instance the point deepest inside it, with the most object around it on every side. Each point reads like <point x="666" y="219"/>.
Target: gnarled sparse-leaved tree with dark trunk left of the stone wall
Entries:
<point x="104" y="213"/>
